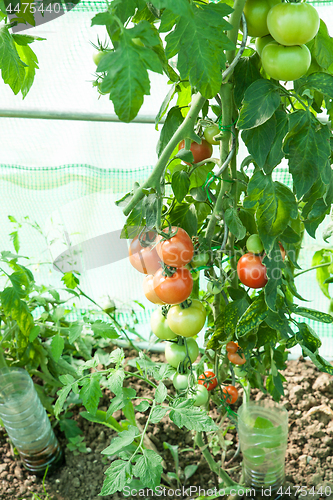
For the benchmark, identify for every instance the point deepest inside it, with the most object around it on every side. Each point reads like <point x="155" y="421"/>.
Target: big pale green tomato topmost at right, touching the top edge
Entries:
<point x="293" y="23"/>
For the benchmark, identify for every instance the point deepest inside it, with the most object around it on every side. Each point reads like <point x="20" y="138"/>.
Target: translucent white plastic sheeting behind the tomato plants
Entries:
<point x="66" y="175"/>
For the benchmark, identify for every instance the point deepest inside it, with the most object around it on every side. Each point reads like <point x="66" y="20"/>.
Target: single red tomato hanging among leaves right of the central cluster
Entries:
<point x="251" y="271"/>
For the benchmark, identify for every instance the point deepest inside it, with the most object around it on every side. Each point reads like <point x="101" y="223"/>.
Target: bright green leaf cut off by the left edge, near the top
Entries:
<point x="12" y="68"/>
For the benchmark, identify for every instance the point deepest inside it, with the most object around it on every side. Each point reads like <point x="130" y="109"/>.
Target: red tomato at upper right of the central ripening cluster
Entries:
<point x="177" y="250"/>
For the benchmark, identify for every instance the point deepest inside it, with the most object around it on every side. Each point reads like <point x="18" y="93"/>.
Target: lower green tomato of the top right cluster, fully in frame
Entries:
<point x="285" y="63"/>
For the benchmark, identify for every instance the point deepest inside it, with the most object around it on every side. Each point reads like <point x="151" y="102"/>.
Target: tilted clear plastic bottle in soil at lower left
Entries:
<point x="27" y="423"/>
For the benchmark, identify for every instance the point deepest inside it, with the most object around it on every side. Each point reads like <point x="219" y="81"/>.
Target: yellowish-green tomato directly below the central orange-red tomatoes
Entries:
<point x="187" y="320"/>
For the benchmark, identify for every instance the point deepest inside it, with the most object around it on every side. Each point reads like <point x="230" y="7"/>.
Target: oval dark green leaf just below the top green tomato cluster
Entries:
<point x="260" y="102"/>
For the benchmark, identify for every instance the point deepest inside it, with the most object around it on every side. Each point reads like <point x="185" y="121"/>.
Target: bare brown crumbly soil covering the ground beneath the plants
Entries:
<point x="309" y="459"/>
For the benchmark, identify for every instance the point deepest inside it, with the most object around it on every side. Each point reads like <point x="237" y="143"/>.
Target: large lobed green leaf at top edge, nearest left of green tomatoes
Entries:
<point x="200" y="31"/>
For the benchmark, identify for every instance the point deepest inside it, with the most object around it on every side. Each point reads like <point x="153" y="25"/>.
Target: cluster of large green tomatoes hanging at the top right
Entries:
<point x="282" y="29"/>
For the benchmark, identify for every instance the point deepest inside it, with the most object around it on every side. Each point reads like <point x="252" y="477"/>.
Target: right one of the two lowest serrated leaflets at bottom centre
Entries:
<point x="149" y="468"/>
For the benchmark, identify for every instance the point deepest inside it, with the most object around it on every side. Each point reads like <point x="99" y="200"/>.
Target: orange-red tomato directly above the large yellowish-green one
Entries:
<point x="173" y="289"/>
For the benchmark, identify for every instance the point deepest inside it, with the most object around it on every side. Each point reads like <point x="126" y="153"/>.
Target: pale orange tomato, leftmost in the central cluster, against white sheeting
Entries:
<point x="144" y="259"/>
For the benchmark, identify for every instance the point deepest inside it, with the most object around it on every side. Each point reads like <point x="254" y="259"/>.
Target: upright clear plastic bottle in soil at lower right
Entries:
<point x="263" y="433"/>
